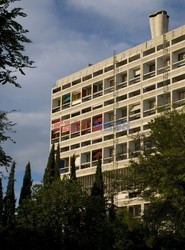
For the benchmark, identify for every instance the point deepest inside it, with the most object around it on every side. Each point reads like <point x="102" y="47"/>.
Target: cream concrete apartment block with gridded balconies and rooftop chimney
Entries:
<point x="96" y="111"/>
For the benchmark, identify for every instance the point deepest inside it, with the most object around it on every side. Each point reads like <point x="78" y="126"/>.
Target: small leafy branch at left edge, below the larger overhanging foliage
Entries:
<point x="5" y="126"/>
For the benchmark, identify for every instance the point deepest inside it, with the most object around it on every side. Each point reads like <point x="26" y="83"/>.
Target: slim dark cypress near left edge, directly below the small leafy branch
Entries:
<point x="9" y="201"/>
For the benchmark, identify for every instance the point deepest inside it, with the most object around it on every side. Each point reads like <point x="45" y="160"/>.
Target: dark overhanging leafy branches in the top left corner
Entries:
<point x="12" y="38"/>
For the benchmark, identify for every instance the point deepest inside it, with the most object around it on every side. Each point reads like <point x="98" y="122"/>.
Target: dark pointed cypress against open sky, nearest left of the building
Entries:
<point x="27" y="183"/>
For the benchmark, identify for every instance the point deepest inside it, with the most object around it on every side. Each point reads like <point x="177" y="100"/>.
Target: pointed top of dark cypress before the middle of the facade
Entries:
<point x="98" y="186"/>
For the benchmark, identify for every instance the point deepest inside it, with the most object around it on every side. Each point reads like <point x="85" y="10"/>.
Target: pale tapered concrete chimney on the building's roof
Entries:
<point x="159" y="23"/>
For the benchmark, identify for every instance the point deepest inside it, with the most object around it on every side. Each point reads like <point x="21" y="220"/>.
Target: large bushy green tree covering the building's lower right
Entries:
<point x="159" y="176"/>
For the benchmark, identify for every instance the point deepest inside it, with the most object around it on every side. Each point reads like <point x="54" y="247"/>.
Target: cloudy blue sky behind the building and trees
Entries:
<point x="67" y="35"/>
